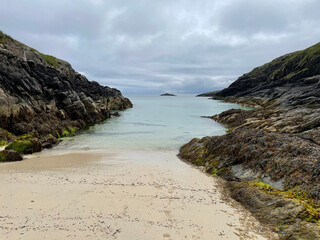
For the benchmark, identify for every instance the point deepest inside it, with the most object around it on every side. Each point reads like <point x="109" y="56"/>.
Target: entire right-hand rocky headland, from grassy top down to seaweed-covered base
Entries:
<point x="270" y="154"/>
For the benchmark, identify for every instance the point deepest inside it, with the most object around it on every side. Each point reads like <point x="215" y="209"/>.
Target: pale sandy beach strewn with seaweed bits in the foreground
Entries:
<point x="117" y="195"/>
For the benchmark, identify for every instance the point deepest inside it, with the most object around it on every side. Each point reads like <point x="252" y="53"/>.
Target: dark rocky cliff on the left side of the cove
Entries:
<point x="42" y="94"/>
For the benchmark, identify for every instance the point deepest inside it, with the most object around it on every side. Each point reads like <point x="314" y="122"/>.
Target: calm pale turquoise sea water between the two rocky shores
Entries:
<point x="154" y="123"/>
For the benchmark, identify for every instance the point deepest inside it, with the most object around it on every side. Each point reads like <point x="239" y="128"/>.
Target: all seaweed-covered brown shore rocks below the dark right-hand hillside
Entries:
<point x="263" y="166"/>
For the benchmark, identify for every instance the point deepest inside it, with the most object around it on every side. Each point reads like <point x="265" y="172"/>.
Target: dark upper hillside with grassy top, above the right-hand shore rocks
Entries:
<point x="293" y="79"/>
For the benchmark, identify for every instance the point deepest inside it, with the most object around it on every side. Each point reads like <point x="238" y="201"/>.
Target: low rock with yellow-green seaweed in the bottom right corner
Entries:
<point x="279" y="213"/>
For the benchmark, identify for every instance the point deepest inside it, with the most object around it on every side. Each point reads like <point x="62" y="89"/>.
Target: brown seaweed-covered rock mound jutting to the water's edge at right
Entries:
<point x="286" y="158"/>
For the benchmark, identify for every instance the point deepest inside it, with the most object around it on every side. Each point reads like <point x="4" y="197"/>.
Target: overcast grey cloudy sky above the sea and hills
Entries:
<point x="156" y="46"/>
